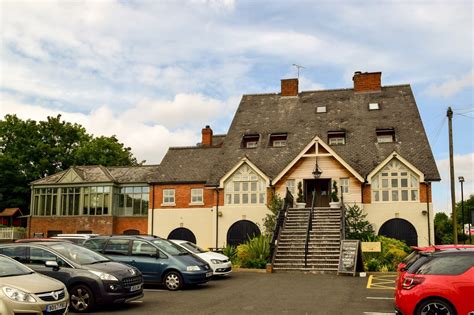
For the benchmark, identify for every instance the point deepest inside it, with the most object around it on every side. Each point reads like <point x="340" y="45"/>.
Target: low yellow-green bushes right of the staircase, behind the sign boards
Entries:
<point x="393" y="252"/>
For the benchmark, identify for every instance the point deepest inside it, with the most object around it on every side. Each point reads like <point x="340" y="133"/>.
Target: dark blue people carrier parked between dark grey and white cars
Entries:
<point x="159" y="260"/>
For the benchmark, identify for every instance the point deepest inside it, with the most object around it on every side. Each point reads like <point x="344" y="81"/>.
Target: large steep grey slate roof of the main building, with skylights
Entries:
<point x="346" y="110"/>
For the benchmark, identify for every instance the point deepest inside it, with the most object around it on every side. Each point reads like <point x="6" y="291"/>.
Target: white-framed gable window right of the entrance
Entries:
<point x="394" y="182"/>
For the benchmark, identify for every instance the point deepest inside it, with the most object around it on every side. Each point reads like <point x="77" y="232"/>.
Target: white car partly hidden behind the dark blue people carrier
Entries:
<point x="219" y="263"/>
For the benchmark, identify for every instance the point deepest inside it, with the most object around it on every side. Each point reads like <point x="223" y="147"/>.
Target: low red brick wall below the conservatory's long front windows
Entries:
<point x="71" y="224"/>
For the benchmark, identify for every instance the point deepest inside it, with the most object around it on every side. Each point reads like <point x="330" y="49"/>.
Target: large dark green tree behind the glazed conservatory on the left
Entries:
<point x="30" y="150"/>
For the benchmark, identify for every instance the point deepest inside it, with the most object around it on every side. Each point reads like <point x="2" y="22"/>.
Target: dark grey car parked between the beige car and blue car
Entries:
<point x="90" y="278"/>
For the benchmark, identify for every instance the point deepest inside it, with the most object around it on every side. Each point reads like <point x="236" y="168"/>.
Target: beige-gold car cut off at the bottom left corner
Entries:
<point x="24" y="291"/>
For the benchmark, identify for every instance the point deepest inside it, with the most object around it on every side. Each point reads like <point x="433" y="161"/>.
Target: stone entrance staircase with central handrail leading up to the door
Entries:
<point x="323" y="246"/>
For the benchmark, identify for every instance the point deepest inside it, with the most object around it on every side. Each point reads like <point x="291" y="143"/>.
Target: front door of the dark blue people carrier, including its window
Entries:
<point x="149" y="260"/>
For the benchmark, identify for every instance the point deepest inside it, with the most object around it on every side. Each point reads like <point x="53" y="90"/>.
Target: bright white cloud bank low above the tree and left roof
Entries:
<point x="149" y="129"/>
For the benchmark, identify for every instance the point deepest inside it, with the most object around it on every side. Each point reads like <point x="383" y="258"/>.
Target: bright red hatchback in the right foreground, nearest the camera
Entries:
<point x="438" y="282"/>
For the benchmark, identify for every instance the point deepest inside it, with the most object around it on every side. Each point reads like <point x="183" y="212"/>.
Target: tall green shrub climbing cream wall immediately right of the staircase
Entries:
<point x="357" y="227"/>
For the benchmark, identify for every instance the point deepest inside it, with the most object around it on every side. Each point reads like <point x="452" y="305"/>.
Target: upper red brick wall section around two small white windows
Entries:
<point x="183" y="196"/>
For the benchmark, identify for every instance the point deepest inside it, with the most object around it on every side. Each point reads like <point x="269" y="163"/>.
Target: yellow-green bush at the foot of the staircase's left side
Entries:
<point x="255" y="253"/>
